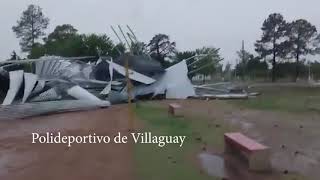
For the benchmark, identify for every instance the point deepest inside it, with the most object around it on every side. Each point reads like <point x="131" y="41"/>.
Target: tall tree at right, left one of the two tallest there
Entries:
<point x="272" y="42"/>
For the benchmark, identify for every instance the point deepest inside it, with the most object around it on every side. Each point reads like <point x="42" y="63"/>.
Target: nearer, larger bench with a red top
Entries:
<point x="257" y="154"/>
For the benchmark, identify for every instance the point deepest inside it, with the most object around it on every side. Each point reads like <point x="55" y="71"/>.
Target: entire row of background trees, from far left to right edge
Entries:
<point x="282" y="47"/>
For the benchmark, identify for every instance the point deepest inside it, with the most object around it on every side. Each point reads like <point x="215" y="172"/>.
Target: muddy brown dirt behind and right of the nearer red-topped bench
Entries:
<point x="293" y="138"/>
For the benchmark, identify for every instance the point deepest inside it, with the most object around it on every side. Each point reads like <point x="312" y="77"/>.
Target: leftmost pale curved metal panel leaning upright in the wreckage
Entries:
<point x="16" y="78"/>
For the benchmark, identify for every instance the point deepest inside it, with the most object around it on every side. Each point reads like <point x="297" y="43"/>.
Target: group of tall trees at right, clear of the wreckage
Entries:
<point x="284" y="46"/>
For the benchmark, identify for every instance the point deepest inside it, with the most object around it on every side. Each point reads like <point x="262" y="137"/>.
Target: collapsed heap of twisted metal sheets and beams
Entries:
<point x="51" y="84"/>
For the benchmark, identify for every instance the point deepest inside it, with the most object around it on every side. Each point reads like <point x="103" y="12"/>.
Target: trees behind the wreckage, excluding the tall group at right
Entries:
<point x="66" y="41"/>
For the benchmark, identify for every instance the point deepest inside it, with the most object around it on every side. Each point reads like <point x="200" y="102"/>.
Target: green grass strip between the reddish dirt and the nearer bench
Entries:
<point x="171" y="161"/>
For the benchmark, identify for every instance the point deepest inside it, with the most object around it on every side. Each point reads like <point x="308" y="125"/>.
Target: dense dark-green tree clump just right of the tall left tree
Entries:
<point x="65" y="41"/>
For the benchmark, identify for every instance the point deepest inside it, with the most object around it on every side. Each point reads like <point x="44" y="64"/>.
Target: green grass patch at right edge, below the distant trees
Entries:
<point x="288" y="99"/>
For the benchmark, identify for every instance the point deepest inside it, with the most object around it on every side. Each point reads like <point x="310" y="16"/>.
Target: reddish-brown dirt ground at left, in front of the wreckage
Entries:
<point x="21" y="160"/>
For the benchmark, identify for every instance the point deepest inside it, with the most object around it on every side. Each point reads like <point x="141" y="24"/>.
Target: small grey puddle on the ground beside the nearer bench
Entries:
<point x="213" y="165"/>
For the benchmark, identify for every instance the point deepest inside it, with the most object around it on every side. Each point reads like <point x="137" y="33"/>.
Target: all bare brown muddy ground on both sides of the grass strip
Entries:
<point x="292" y="137"/>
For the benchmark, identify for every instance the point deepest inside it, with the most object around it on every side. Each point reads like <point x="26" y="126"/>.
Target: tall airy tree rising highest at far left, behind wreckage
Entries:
<point x="30" y="27"/>
